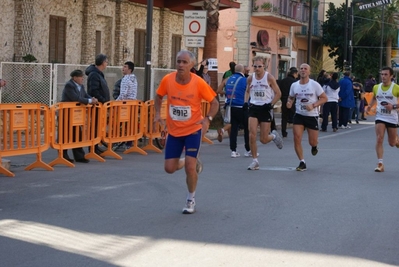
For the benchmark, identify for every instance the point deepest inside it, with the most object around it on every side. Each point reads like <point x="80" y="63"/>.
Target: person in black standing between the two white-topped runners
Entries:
<point x="287" y="114"/>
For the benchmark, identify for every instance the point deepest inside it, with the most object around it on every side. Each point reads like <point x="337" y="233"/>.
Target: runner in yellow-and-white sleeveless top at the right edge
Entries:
<point x="386" y="119"/>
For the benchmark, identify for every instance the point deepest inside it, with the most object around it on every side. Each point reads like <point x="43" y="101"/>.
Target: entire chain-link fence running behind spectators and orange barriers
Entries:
<point x="44" y="82"/>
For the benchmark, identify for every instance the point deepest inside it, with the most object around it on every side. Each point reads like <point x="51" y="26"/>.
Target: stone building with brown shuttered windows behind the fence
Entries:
<point x="74" y="31"/>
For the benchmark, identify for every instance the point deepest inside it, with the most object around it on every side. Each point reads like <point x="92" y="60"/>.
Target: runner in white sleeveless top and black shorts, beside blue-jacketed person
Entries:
<point x="263" y="91"/>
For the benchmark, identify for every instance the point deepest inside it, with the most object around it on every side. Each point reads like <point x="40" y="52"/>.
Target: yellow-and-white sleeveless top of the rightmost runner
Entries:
<point x="383" y="98"/>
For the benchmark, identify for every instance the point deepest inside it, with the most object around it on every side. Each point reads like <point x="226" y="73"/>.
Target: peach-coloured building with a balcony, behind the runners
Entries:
<point x="278" y="30"/>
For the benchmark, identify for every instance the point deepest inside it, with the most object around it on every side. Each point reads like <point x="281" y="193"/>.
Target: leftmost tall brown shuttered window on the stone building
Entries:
<point x="57" y="41"/>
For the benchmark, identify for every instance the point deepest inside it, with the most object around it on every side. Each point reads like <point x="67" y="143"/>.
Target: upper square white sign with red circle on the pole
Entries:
<point x="194" y="23"/>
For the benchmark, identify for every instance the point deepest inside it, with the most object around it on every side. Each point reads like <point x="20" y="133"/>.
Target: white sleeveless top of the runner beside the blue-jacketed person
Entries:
<point x="260" y="91"/>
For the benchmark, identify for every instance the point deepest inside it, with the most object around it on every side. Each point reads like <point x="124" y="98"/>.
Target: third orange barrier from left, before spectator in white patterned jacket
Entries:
<point x="124" y="124"/>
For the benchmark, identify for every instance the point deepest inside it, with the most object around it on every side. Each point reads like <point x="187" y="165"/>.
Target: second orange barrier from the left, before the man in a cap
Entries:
<point x="75" y="125"/>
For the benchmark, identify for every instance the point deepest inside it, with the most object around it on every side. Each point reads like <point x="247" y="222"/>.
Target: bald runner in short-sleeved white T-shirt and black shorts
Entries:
<point x="308" y="95"/>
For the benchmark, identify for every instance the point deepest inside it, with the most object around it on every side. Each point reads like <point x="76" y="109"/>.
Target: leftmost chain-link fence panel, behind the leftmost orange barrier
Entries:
<point x="26" y="82"/>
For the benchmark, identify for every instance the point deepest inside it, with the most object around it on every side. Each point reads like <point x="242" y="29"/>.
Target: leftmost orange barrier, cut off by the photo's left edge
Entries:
<point x="21" y="134"/>
